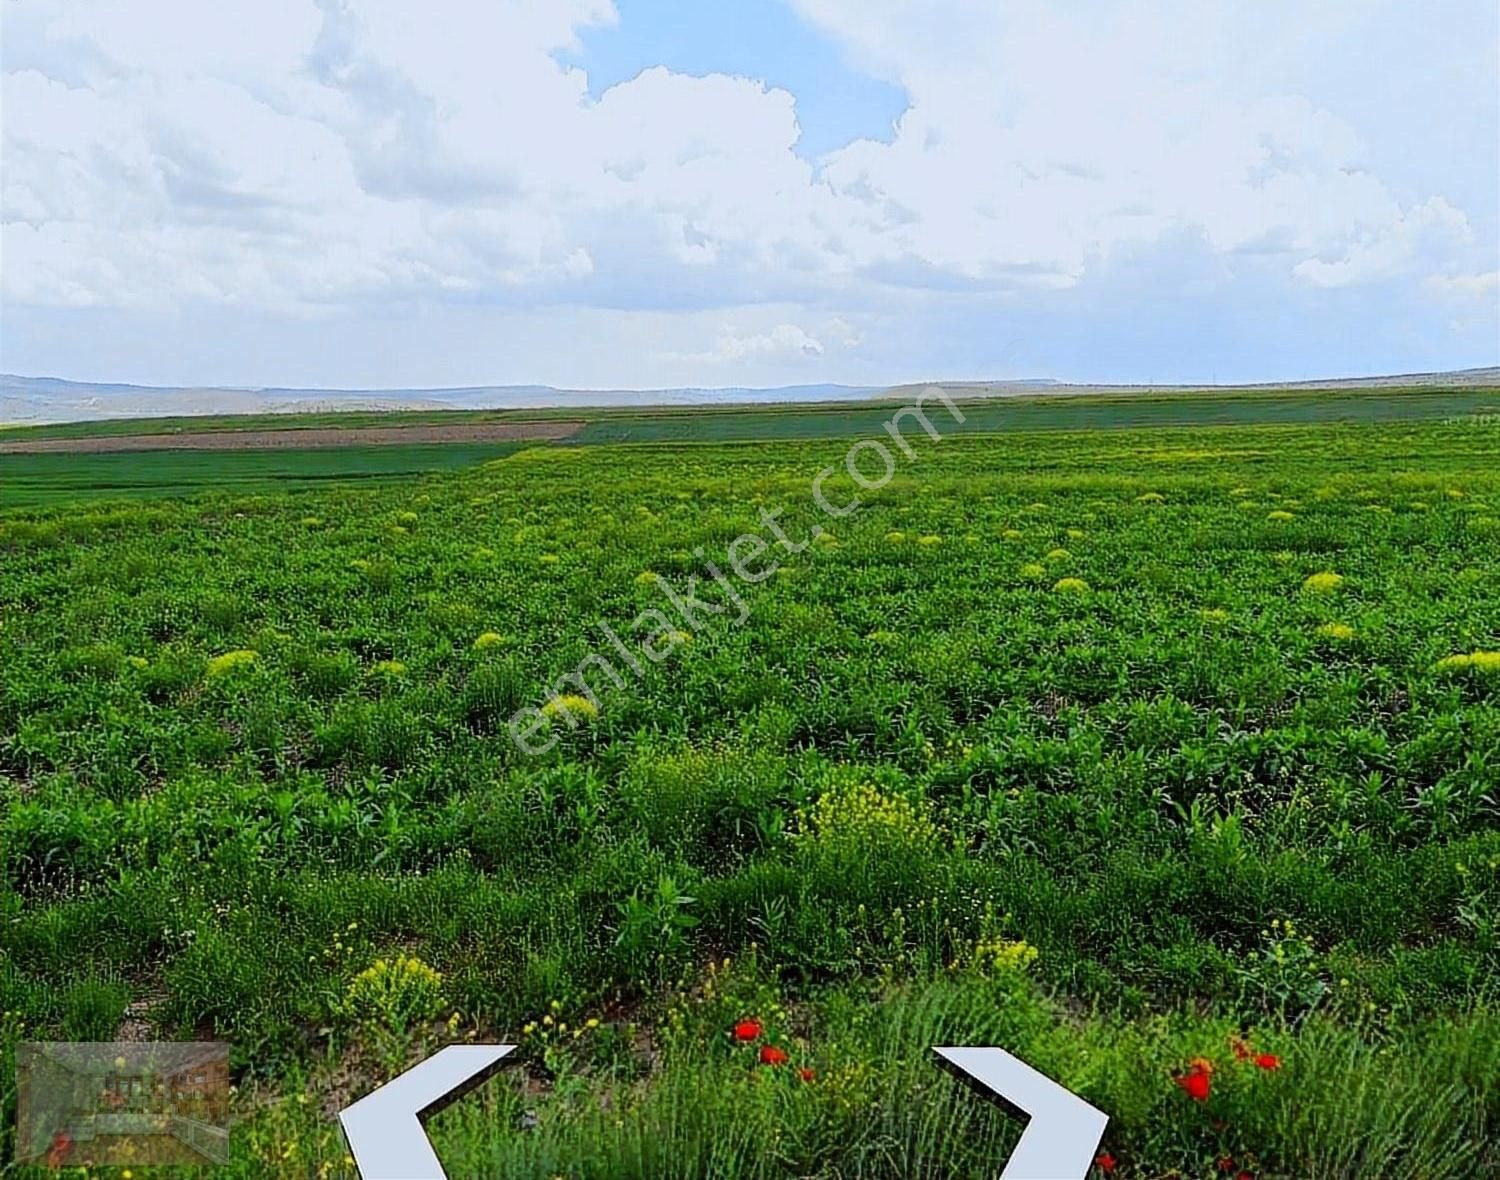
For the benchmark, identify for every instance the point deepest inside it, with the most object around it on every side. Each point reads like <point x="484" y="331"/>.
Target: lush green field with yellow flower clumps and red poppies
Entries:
<point x="1168" y="759"/>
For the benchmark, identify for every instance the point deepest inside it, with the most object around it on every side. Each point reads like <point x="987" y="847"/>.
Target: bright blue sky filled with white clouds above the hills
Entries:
<point x="379" y="194"/>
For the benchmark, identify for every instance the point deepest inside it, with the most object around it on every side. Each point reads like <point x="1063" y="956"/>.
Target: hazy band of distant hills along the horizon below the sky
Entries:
<point x="49" y="400"/>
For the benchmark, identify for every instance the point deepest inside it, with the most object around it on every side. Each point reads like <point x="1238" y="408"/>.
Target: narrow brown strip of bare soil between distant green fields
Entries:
<point x="298" y="440"/>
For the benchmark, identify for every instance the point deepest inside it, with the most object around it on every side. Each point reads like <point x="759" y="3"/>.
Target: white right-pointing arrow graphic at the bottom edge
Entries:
<point x="1064" y="1131"/>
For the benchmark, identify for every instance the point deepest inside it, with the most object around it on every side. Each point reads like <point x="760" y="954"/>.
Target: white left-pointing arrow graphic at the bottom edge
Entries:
<point x="385" y="1128"/>
